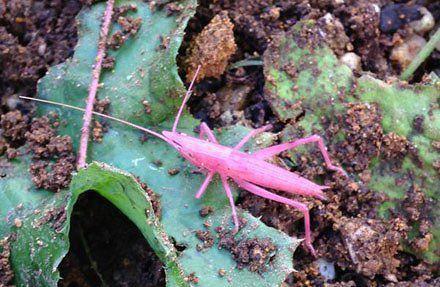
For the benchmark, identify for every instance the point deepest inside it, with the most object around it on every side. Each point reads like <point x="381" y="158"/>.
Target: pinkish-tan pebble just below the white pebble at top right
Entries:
<point x="404" y="53"/>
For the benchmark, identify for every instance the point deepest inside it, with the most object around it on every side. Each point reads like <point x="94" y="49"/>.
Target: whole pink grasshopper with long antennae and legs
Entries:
<point x="250" y="171"/>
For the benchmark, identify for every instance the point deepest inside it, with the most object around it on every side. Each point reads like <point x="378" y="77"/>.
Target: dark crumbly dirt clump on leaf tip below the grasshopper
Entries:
<point x="253" y="254"/>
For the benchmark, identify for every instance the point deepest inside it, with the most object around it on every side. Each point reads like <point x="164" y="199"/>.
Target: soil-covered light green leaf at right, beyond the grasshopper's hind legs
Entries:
<point x="304" y="78"/>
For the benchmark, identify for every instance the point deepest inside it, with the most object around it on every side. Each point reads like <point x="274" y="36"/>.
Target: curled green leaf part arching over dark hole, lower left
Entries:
<point x="42" y="239"/>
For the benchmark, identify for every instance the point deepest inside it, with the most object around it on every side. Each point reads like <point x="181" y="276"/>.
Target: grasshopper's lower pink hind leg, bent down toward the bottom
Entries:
<point x="298" y="205"/>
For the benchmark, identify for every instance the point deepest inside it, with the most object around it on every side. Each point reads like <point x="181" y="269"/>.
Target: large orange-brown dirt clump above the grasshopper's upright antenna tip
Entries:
<point x="211" y="49"/>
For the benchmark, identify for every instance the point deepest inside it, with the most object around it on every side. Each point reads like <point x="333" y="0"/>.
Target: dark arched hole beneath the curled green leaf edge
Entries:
<point x="107" y="249"/>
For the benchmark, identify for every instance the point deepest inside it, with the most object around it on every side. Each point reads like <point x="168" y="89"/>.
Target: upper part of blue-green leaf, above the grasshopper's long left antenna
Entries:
<point x="145" y="69"/>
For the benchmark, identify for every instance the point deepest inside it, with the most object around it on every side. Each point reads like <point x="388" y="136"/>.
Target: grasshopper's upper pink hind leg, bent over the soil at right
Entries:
<point x="273" y="150"/>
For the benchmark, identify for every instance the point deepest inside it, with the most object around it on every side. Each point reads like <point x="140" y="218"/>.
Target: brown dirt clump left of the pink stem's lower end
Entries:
<point x="53" y="161"/>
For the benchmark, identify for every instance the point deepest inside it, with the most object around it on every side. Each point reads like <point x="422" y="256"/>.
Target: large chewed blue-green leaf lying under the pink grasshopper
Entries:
<point x="145" y="73"/>
